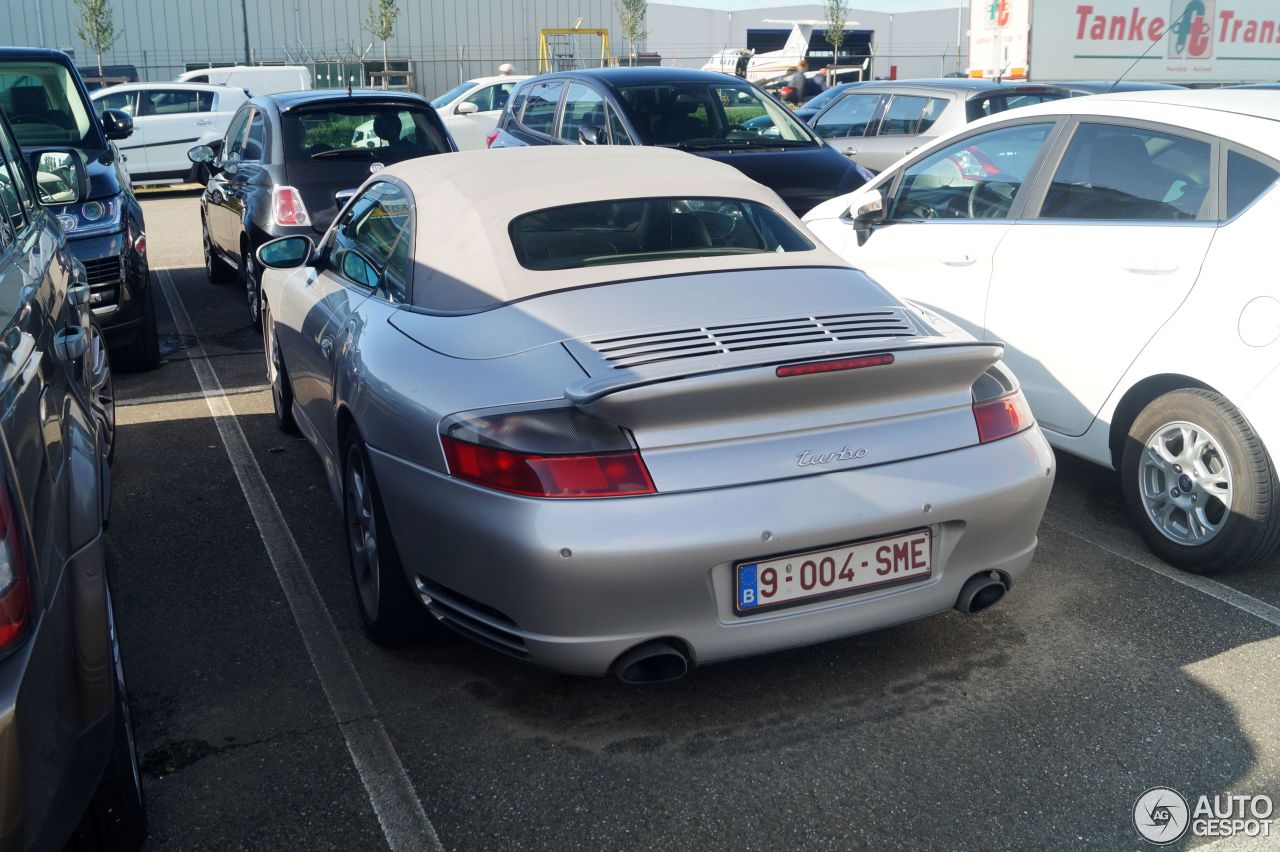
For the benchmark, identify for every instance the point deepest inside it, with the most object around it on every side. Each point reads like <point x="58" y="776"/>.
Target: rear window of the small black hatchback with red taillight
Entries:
<point x="360" y="132"/>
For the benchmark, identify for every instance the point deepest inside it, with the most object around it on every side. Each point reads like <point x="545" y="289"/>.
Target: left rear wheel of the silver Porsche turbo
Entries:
<point x="387" y="606"/>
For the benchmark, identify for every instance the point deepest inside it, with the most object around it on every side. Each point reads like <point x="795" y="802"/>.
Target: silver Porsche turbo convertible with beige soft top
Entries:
<point x="514" y="384"/>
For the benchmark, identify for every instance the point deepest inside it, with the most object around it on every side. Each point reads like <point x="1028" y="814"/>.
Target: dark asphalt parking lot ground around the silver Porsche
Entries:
<point x="1034" y="726"/>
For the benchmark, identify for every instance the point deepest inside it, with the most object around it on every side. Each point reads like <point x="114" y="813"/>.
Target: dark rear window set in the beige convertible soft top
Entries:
<point x="650" y="230"/>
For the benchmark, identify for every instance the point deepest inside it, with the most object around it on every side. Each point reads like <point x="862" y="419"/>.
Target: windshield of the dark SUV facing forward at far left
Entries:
<point x="45" y="107"/>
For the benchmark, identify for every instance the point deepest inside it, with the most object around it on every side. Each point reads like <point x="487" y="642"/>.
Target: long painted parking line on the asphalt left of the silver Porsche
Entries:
<point x="396" y="804"/>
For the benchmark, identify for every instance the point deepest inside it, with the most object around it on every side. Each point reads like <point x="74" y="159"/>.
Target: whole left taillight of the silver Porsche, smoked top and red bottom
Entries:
<point x="548" y="454"/>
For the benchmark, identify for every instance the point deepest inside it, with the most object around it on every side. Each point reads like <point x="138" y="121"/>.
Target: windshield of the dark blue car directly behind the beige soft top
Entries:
<point x="712" y="116"/>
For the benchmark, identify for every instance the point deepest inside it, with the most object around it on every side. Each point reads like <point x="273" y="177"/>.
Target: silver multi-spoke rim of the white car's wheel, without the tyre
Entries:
<point x="1186" y="483"/>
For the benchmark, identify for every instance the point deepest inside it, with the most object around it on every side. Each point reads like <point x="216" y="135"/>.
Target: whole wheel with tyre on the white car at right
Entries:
<point x="1200" y="485"/>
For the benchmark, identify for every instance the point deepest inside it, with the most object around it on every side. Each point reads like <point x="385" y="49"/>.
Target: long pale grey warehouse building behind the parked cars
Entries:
<point x="440" y="43"/>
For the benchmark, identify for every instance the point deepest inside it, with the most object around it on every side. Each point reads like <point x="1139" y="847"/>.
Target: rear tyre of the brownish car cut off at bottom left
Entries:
<point x="117" y="817"/>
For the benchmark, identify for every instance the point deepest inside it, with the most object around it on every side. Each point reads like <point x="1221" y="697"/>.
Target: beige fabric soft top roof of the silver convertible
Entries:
<point x="467" y="201"/>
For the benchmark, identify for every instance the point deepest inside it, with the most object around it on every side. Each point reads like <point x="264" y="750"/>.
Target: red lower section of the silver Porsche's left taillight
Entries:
<point x="551" y="477"/>
